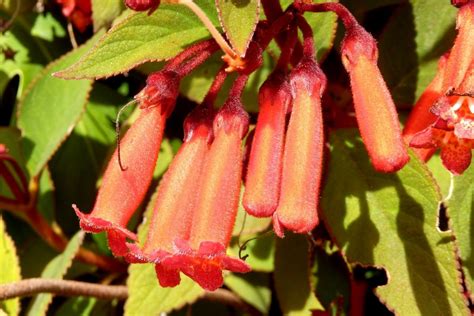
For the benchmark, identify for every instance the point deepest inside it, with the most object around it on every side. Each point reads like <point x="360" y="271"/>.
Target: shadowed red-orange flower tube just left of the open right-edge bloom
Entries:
<point x="421" y="117"/>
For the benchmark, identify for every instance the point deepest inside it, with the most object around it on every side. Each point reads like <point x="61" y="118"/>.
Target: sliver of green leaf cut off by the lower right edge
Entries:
<point x="461" y="212"/>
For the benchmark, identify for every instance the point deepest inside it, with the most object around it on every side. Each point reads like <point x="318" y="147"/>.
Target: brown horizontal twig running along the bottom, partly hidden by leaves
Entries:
<point x="31" y="287"/>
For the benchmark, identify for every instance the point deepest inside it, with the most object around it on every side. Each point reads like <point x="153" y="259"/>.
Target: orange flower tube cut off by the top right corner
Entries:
<point x="462" y="53"/>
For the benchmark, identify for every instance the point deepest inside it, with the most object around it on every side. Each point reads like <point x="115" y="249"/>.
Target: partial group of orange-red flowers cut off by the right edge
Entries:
<point x="443" y="117"/>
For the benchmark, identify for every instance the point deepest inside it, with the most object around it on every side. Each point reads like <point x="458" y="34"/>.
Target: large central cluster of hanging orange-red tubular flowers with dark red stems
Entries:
<point x="197" y="200"/>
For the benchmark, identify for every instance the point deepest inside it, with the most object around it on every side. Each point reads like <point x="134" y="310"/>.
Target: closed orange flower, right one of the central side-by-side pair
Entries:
<point x="302" y="160"/>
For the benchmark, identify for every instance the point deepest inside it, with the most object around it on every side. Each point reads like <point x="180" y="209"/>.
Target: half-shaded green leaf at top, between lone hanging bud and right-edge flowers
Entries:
<point x="416" y="36"/>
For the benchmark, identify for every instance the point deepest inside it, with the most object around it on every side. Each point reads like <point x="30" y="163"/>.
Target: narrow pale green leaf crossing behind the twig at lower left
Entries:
<point x="56" y="269"/>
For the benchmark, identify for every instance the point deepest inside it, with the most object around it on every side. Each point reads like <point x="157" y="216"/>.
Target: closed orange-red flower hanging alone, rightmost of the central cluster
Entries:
<point x="375" y="110"/>
